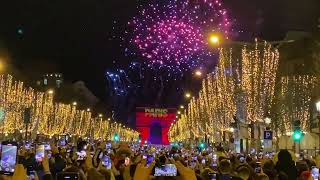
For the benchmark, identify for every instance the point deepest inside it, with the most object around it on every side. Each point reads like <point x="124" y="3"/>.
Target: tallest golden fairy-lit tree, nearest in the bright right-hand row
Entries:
<point x="258" y="76"/>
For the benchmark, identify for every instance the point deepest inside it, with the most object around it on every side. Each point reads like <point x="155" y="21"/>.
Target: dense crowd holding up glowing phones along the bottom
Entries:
<point x="133" y="161"/>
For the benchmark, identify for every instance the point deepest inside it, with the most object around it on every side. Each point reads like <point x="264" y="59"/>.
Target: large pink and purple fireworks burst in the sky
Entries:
<point x="174" y="33"/>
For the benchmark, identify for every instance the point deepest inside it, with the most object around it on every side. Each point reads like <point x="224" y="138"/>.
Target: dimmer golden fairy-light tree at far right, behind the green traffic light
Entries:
<point x="294" y="102"/>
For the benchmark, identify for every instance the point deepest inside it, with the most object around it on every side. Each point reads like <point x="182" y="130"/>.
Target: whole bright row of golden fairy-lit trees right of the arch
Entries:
<point x="242" y="86"/>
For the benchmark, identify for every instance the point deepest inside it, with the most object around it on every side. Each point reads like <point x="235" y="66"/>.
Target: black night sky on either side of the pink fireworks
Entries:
<point x="73" y="36"/>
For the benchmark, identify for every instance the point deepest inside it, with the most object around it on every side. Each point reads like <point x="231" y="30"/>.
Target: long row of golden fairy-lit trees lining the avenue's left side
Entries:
<point x="48" y="117"/>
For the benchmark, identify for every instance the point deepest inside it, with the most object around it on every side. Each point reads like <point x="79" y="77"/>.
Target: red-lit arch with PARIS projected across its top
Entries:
<point x="153" y="124"/>
